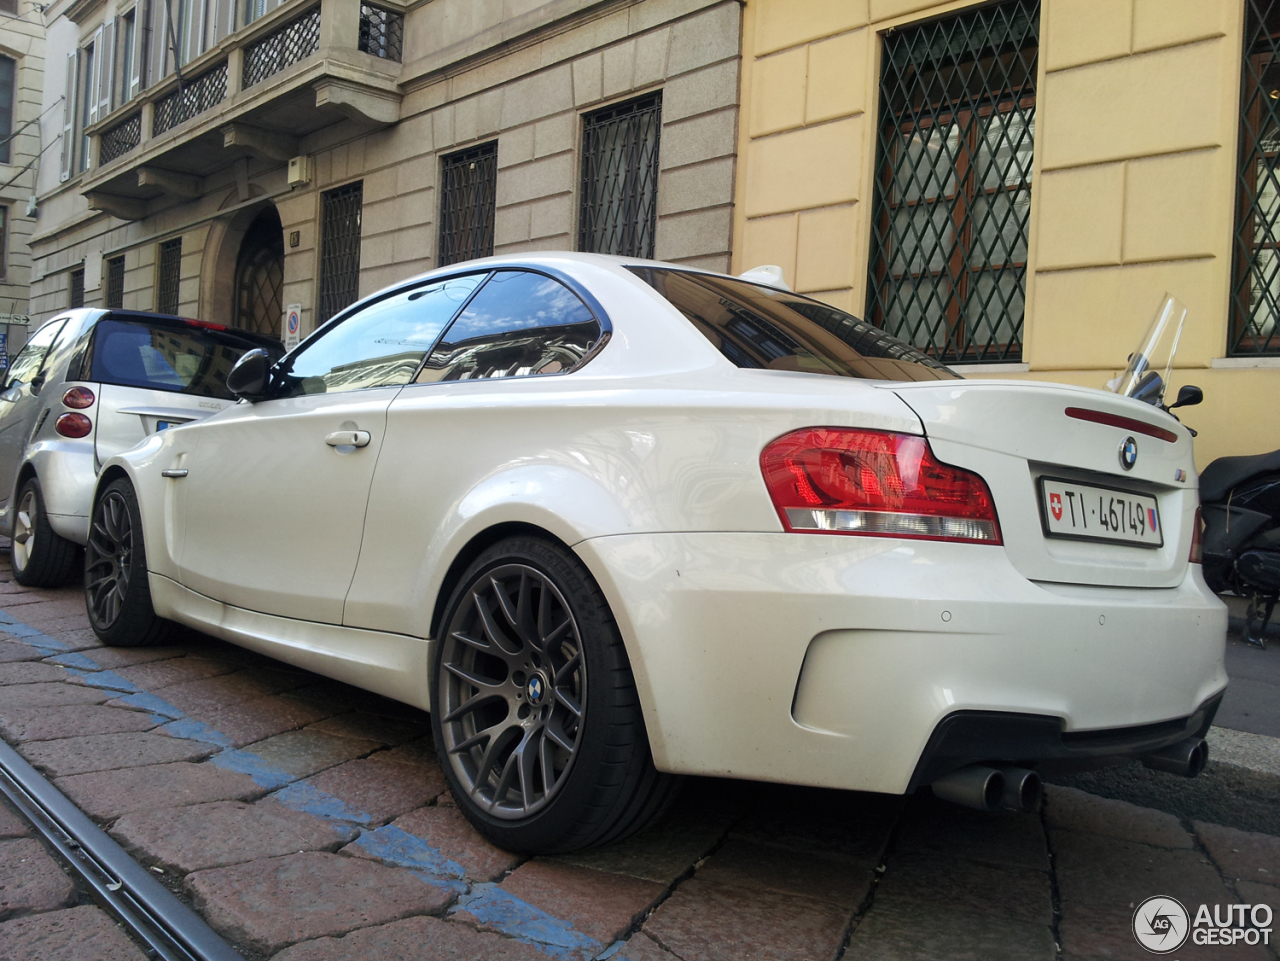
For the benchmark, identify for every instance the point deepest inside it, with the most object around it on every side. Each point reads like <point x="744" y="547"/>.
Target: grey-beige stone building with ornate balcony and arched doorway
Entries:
<point x="231" y="170"/>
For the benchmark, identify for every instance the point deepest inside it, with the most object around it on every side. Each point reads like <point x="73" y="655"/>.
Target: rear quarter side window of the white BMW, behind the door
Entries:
<point x="520" y="324"/>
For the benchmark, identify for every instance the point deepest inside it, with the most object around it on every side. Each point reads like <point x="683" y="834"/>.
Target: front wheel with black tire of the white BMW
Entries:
<point x="117" y="593"/>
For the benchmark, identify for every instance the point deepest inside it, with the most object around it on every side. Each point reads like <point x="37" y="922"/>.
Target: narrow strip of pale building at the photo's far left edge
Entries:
<point x="22" y="70"/>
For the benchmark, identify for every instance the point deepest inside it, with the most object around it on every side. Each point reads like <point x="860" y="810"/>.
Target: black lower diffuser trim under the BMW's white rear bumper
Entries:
<point x="1040" y="742"/>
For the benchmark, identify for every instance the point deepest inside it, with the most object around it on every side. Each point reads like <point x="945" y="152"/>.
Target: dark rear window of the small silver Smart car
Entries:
<point x="185" y="360"/>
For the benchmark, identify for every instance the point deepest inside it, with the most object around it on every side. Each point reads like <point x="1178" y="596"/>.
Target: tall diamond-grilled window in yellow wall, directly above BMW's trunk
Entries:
<point x="952" y="196"/>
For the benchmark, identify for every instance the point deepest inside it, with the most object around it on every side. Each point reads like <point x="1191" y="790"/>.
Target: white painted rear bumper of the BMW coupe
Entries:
<point x="831" y="661"/>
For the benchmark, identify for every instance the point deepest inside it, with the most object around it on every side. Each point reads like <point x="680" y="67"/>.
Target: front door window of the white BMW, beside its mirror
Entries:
<point x="381" y="346"/>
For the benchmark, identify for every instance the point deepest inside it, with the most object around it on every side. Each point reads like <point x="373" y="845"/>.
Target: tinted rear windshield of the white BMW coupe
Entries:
<point x="769" y="330"/>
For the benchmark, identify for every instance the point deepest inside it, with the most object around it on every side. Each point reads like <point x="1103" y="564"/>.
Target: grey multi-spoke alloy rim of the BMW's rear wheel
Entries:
<point x="511" y="689"/>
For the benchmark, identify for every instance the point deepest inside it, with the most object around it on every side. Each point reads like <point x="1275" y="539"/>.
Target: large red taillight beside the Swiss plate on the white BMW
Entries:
<point x="831" y="480"/>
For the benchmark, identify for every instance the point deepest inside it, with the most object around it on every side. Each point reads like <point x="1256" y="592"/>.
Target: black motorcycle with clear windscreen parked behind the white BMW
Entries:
<point x="1240" y="496"/>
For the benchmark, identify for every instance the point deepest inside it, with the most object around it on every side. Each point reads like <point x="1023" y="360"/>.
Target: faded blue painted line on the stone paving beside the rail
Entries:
<point x="486" y="901"/>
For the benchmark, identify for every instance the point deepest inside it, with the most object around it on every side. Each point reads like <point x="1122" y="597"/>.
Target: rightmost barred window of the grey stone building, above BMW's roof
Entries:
<point x="620" y="179"/>
